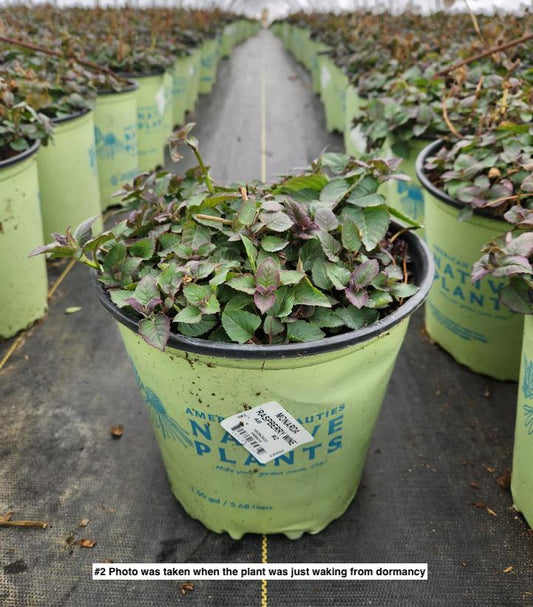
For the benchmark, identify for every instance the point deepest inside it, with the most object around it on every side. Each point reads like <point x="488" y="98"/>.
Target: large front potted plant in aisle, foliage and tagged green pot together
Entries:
<point x="228" y="298"/>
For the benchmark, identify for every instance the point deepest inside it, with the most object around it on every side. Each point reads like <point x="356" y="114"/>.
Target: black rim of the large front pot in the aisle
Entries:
<point x="423" y="271"/>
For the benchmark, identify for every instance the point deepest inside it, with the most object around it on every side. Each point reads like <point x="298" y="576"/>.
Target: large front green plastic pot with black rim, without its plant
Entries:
<point x="334" y="387"/>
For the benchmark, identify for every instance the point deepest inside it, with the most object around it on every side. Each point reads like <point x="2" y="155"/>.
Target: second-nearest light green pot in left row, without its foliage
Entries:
<point x="68" y="176"/>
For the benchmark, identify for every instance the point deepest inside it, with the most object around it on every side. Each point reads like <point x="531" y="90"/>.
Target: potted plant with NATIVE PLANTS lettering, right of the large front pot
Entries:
<point x="475" y="179"/>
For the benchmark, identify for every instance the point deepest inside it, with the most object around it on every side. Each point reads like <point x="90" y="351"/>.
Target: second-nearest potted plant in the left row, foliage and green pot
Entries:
<point x="62" y="90"/>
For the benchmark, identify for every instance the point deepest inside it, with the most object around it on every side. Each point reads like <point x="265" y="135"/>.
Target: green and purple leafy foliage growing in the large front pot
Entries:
<point x="309" y="256"/>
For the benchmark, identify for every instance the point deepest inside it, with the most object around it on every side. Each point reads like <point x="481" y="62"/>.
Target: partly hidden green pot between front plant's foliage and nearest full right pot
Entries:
<point x="408" y="196"/>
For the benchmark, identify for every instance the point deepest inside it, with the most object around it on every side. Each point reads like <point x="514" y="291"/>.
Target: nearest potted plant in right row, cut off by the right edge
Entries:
<point x="509" y="257"/>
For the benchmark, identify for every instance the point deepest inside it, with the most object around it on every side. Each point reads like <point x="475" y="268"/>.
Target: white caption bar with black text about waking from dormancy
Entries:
<point x="270" y="571"/>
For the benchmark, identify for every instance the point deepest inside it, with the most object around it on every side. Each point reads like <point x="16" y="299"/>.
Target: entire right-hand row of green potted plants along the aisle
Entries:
<point x="472" y="93"/>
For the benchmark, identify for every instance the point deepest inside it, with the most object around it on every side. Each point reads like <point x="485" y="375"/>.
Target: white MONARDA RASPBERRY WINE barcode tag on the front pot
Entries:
<point x="266" y="431"/>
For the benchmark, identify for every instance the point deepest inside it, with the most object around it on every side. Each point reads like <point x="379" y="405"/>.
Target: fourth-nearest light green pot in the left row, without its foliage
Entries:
<point x="151" y="129"/>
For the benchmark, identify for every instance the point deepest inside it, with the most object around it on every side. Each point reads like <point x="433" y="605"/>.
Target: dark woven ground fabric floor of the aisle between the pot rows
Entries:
<point x="435" y="487"/>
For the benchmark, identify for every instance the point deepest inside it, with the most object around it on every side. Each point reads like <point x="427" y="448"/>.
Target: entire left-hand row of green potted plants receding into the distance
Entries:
<point x="108" y="106"/>
